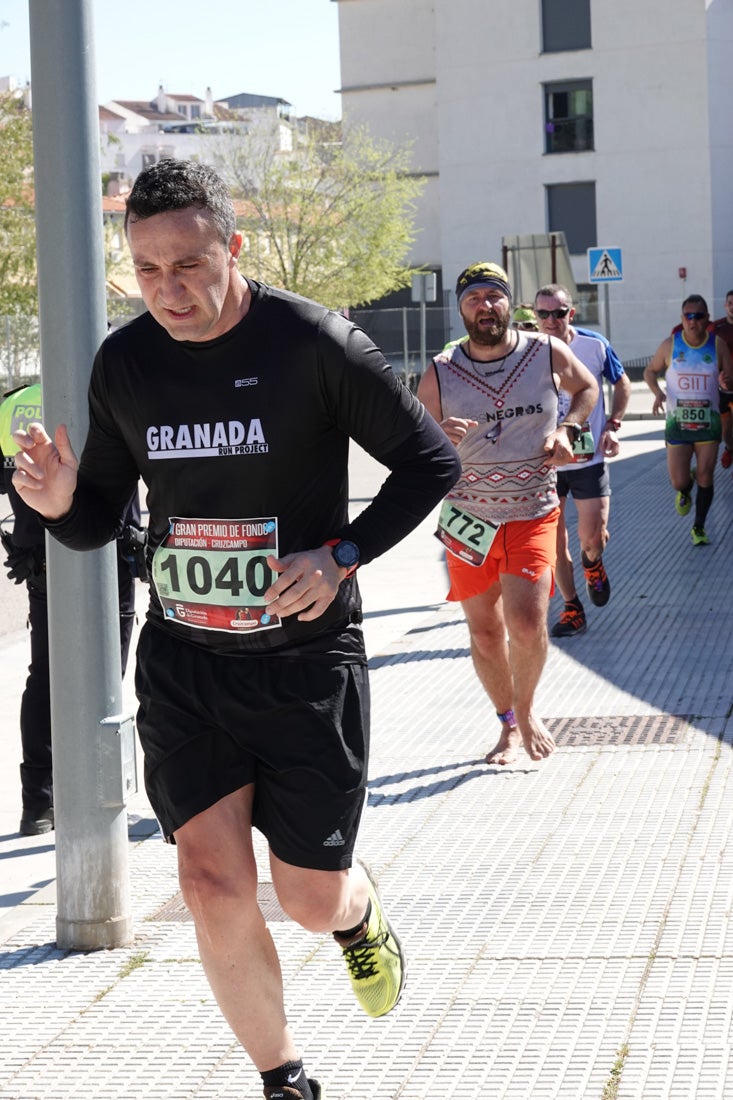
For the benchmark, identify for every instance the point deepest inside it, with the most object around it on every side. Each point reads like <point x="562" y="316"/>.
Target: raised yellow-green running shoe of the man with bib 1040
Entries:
<point x="377" y="966"/>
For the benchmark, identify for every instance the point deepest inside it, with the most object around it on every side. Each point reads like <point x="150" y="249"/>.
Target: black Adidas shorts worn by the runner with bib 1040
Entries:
<point x="297" y="728"/>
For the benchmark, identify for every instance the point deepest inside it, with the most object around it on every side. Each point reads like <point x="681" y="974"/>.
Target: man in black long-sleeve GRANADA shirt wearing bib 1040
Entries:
<point x="236" y="404"/>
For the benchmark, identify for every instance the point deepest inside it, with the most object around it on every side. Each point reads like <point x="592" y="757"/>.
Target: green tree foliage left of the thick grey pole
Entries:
<point x="18" y="270"/>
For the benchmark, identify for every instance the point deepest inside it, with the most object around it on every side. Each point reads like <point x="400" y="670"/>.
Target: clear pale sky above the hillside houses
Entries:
<point x="269" y="48"/>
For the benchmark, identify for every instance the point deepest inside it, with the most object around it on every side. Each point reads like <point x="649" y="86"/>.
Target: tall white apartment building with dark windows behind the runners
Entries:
<point x="607" y="119"/>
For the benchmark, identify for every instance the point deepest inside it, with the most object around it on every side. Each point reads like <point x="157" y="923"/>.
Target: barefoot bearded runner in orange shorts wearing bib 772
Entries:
<point x="496" y="398"/>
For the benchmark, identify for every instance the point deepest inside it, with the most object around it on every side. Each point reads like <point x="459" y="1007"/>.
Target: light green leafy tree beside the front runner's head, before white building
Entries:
<point x="330" y="221"/>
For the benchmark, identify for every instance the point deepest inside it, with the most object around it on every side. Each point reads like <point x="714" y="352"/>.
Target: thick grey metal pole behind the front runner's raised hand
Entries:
<point x="91" y="738"/>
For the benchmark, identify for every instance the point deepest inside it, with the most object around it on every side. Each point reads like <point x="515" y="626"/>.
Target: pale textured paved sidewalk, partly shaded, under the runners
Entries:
<point x="567" y="925"/>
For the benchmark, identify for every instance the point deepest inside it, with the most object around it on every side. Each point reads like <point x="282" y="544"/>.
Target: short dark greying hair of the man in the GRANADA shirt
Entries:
<point x="177" y="185"/>
